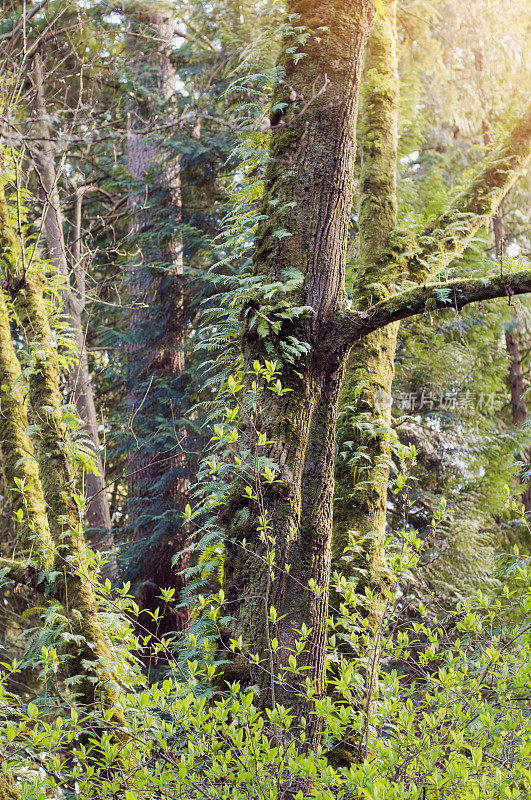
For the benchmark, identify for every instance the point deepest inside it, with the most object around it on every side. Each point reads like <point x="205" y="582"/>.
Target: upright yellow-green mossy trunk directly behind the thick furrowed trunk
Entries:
<point x="362" y="469"/>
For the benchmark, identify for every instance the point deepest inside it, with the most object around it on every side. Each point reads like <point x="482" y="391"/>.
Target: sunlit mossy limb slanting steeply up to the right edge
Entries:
<point x="448" y="236"/>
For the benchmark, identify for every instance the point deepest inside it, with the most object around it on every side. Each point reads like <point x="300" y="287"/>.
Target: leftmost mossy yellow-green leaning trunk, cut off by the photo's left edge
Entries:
<point x="18" y="457"/>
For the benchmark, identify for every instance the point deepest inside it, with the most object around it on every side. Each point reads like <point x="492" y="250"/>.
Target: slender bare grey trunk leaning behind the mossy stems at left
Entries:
<point x="98" y="511"/>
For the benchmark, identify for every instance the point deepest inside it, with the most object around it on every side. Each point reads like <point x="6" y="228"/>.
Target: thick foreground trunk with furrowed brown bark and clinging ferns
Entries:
<point x="308" y="194"/>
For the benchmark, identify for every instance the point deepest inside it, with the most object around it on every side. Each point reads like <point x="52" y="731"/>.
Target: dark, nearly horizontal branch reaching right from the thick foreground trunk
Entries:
<point x="353" y="326"/>
